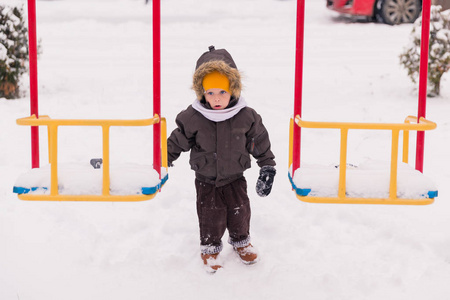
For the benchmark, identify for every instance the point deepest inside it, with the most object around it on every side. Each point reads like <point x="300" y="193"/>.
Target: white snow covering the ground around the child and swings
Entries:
<point x="96" y="63"/>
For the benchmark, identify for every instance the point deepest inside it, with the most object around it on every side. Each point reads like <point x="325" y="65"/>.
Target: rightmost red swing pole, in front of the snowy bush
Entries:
<point x="423" y="75"/>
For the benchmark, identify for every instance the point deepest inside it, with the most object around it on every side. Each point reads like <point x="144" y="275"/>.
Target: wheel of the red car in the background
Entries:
<point x="398" y="11"/>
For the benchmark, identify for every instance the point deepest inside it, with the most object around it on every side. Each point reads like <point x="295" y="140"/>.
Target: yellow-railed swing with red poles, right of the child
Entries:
<point x="339" y="184"/>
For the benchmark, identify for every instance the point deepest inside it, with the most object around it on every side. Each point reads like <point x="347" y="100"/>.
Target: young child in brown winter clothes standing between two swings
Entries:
<point x="221" y="131"/>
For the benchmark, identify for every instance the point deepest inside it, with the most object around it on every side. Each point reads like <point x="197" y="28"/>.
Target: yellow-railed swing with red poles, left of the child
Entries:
<point x="45" y="183"/>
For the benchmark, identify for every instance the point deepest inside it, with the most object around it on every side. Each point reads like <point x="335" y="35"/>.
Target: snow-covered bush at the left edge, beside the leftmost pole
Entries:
<point x="13" y="50"/>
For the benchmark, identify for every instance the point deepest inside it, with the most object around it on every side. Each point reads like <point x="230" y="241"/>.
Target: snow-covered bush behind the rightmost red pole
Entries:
<point x="439" y="49"/>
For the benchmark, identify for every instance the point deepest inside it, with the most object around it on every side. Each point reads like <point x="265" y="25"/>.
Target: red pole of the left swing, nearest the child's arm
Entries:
<point x="157" y="84"/>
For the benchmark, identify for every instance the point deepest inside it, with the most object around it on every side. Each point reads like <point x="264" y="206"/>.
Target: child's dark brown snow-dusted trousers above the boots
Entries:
<point x="221" y="208"/>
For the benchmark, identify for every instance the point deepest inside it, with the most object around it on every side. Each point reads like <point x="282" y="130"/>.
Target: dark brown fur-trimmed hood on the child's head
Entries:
<point x="216" y="61"/>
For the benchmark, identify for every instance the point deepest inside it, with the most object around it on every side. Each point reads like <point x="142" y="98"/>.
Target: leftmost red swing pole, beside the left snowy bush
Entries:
<point x="32" y="48"/>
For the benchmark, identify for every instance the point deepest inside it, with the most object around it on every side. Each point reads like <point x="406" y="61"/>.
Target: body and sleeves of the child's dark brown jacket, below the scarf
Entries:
<point x="220" y="150"/>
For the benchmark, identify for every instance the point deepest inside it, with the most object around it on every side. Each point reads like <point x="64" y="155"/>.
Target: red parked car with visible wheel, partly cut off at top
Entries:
<point x="388" y="11"/>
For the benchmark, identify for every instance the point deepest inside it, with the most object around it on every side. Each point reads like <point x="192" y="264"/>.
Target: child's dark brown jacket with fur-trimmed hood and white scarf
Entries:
<point x="220" y="141"/>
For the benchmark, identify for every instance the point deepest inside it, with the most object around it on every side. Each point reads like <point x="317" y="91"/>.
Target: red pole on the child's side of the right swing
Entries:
<point x="298" y="84"/>
